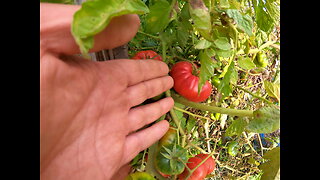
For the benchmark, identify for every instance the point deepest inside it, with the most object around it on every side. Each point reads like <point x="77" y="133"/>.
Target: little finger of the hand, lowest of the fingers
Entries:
<point x="143" y="139"/>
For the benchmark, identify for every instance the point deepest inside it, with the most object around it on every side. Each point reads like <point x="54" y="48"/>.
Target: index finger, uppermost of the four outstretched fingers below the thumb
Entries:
<point x="136" y="71"/>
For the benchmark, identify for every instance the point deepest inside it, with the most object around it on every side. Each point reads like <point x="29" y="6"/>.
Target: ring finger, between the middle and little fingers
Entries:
<point x="143" y="115"/>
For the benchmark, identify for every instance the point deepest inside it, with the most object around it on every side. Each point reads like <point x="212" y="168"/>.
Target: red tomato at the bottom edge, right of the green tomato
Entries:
<point x="199" y="174"/>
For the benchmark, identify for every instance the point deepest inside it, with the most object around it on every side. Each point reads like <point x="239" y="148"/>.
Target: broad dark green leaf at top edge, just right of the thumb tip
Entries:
<point x="159" y="17"/>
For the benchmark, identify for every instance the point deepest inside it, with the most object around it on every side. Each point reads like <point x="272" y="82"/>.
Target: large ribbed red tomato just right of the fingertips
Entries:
<point x="186" y="84"/>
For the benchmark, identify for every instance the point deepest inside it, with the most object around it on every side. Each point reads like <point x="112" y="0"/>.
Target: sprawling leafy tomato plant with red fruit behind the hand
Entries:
<point x="224" y="58"/>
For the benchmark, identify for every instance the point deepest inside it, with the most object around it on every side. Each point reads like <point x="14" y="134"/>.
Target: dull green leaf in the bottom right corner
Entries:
<point x="271" y="168"/>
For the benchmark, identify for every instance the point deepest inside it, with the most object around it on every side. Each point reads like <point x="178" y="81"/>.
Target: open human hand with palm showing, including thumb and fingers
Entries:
<point x="88" y="110"/>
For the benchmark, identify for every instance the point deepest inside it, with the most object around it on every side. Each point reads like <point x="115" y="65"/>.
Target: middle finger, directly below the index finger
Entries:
<point x="148" y="89"/>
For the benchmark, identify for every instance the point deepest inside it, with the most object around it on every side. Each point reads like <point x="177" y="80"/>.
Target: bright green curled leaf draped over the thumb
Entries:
<point x="95" y="15"/>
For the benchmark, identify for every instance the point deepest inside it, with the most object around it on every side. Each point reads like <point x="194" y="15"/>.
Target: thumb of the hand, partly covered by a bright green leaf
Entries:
<point x="55" y="30"/>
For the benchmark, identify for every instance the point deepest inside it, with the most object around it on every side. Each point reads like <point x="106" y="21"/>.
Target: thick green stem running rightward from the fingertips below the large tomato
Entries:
<point x="221" y="110"/>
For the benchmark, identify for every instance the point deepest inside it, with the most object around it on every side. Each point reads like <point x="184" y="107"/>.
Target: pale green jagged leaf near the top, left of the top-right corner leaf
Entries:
<point x="244" y="23"/>
